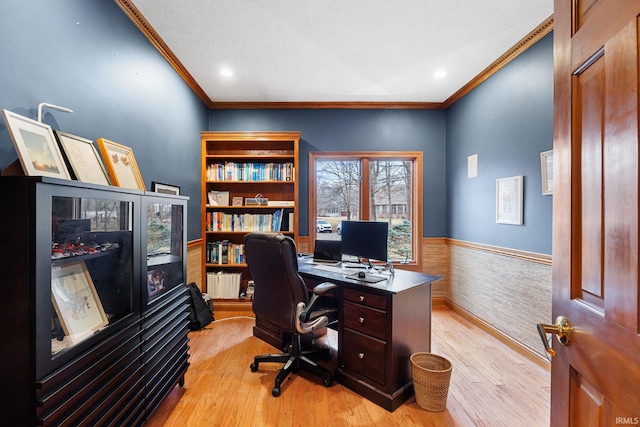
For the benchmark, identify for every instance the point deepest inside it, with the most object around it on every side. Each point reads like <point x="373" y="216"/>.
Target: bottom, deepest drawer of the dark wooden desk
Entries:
<point x="364" y="355"/>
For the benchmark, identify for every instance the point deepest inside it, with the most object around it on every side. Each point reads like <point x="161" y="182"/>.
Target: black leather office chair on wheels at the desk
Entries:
<point x="282" y="298"/>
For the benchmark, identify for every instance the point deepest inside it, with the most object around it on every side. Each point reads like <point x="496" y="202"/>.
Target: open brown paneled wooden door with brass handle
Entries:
<point x="595" y="379"/>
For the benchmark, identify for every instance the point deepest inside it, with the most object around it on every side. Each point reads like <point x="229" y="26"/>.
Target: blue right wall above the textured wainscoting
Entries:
<point x="507" y="121"/>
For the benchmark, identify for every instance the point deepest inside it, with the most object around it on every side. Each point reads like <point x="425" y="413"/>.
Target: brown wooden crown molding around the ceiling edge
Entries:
<point x="143" y="25"/>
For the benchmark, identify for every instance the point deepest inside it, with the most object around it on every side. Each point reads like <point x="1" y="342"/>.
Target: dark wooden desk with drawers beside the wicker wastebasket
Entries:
<point x="379" y="326"/>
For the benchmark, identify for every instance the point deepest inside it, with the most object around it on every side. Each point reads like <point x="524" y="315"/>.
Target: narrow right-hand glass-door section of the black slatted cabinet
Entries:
<point x="164" y="298"/>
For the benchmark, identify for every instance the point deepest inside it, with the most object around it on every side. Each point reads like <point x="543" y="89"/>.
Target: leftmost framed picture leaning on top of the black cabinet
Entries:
<point x="36" y="146"/>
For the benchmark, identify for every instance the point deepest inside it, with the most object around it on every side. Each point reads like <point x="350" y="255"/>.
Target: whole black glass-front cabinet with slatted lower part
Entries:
<point x="83" y="343"/>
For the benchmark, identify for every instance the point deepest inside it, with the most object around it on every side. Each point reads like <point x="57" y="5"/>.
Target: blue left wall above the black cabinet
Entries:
<point x="88" y="56"/>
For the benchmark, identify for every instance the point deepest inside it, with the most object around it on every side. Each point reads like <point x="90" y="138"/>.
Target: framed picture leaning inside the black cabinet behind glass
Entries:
<point x="76" y="301"/>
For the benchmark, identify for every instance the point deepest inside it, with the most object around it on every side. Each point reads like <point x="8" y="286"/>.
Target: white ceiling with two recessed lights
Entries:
<point x="335" y="51"/>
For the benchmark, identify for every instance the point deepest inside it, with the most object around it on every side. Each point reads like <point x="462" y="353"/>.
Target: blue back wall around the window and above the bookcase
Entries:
<point x="358" y="130"/>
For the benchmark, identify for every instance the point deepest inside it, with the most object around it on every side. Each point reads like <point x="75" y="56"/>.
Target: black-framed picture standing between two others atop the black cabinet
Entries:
<point x="82" y="158"/>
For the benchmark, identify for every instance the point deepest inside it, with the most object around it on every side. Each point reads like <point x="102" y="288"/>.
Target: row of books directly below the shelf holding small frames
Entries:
<point x="223" y="221"/>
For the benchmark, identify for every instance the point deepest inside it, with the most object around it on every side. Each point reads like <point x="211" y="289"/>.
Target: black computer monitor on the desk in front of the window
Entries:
<point x="365" y="239"/>
